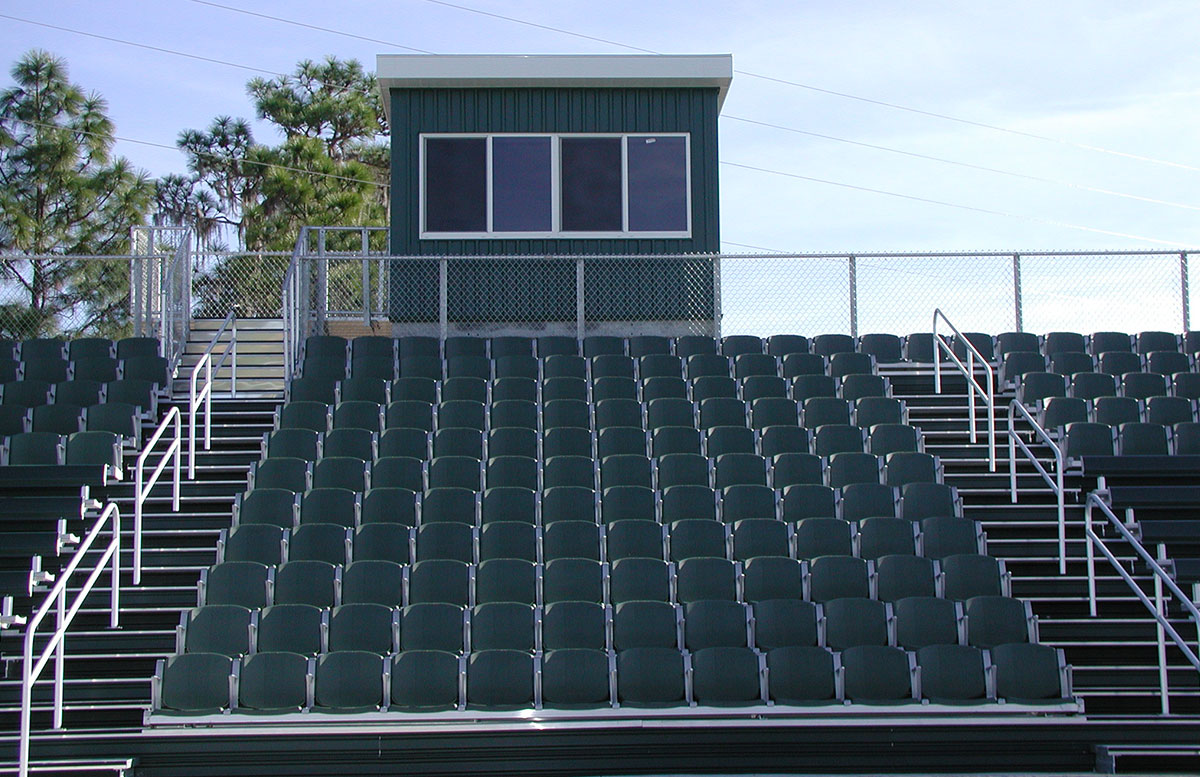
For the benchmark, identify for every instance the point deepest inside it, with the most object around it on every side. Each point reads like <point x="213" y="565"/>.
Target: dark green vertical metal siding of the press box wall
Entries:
<point x="615" y="293"/>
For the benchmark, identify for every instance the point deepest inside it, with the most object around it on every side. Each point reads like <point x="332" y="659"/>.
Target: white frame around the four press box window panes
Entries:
<point x="556" y="189"/>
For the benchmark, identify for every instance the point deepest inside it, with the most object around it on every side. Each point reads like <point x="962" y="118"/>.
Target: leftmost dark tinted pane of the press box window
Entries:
<point x="457" y="185"/>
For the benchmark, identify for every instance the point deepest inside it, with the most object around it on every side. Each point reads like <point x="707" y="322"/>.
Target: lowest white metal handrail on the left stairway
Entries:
<point x="57" y="599"/>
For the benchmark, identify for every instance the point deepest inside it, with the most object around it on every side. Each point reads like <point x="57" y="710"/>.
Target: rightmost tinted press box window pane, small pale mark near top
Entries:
<point x="658" y="184"/>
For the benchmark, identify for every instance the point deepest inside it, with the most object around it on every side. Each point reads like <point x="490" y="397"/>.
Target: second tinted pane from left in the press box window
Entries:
<point x="521" y="185"/>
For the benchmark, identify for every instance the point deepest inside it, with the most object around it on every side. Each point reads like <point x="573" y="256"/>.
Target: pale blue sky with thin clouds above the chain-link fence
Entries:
<point x="1117" y="76"/>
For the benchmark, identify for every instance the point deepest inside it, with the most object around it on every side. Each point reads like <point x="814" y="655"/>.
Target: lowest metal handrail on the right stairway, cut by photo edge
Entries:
<point x="1161" y="580"/>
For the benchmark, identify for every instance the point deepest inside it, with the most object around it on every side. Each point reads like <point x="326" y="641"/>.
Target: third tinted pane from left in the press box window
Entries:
<point x="591" y="185"/>
